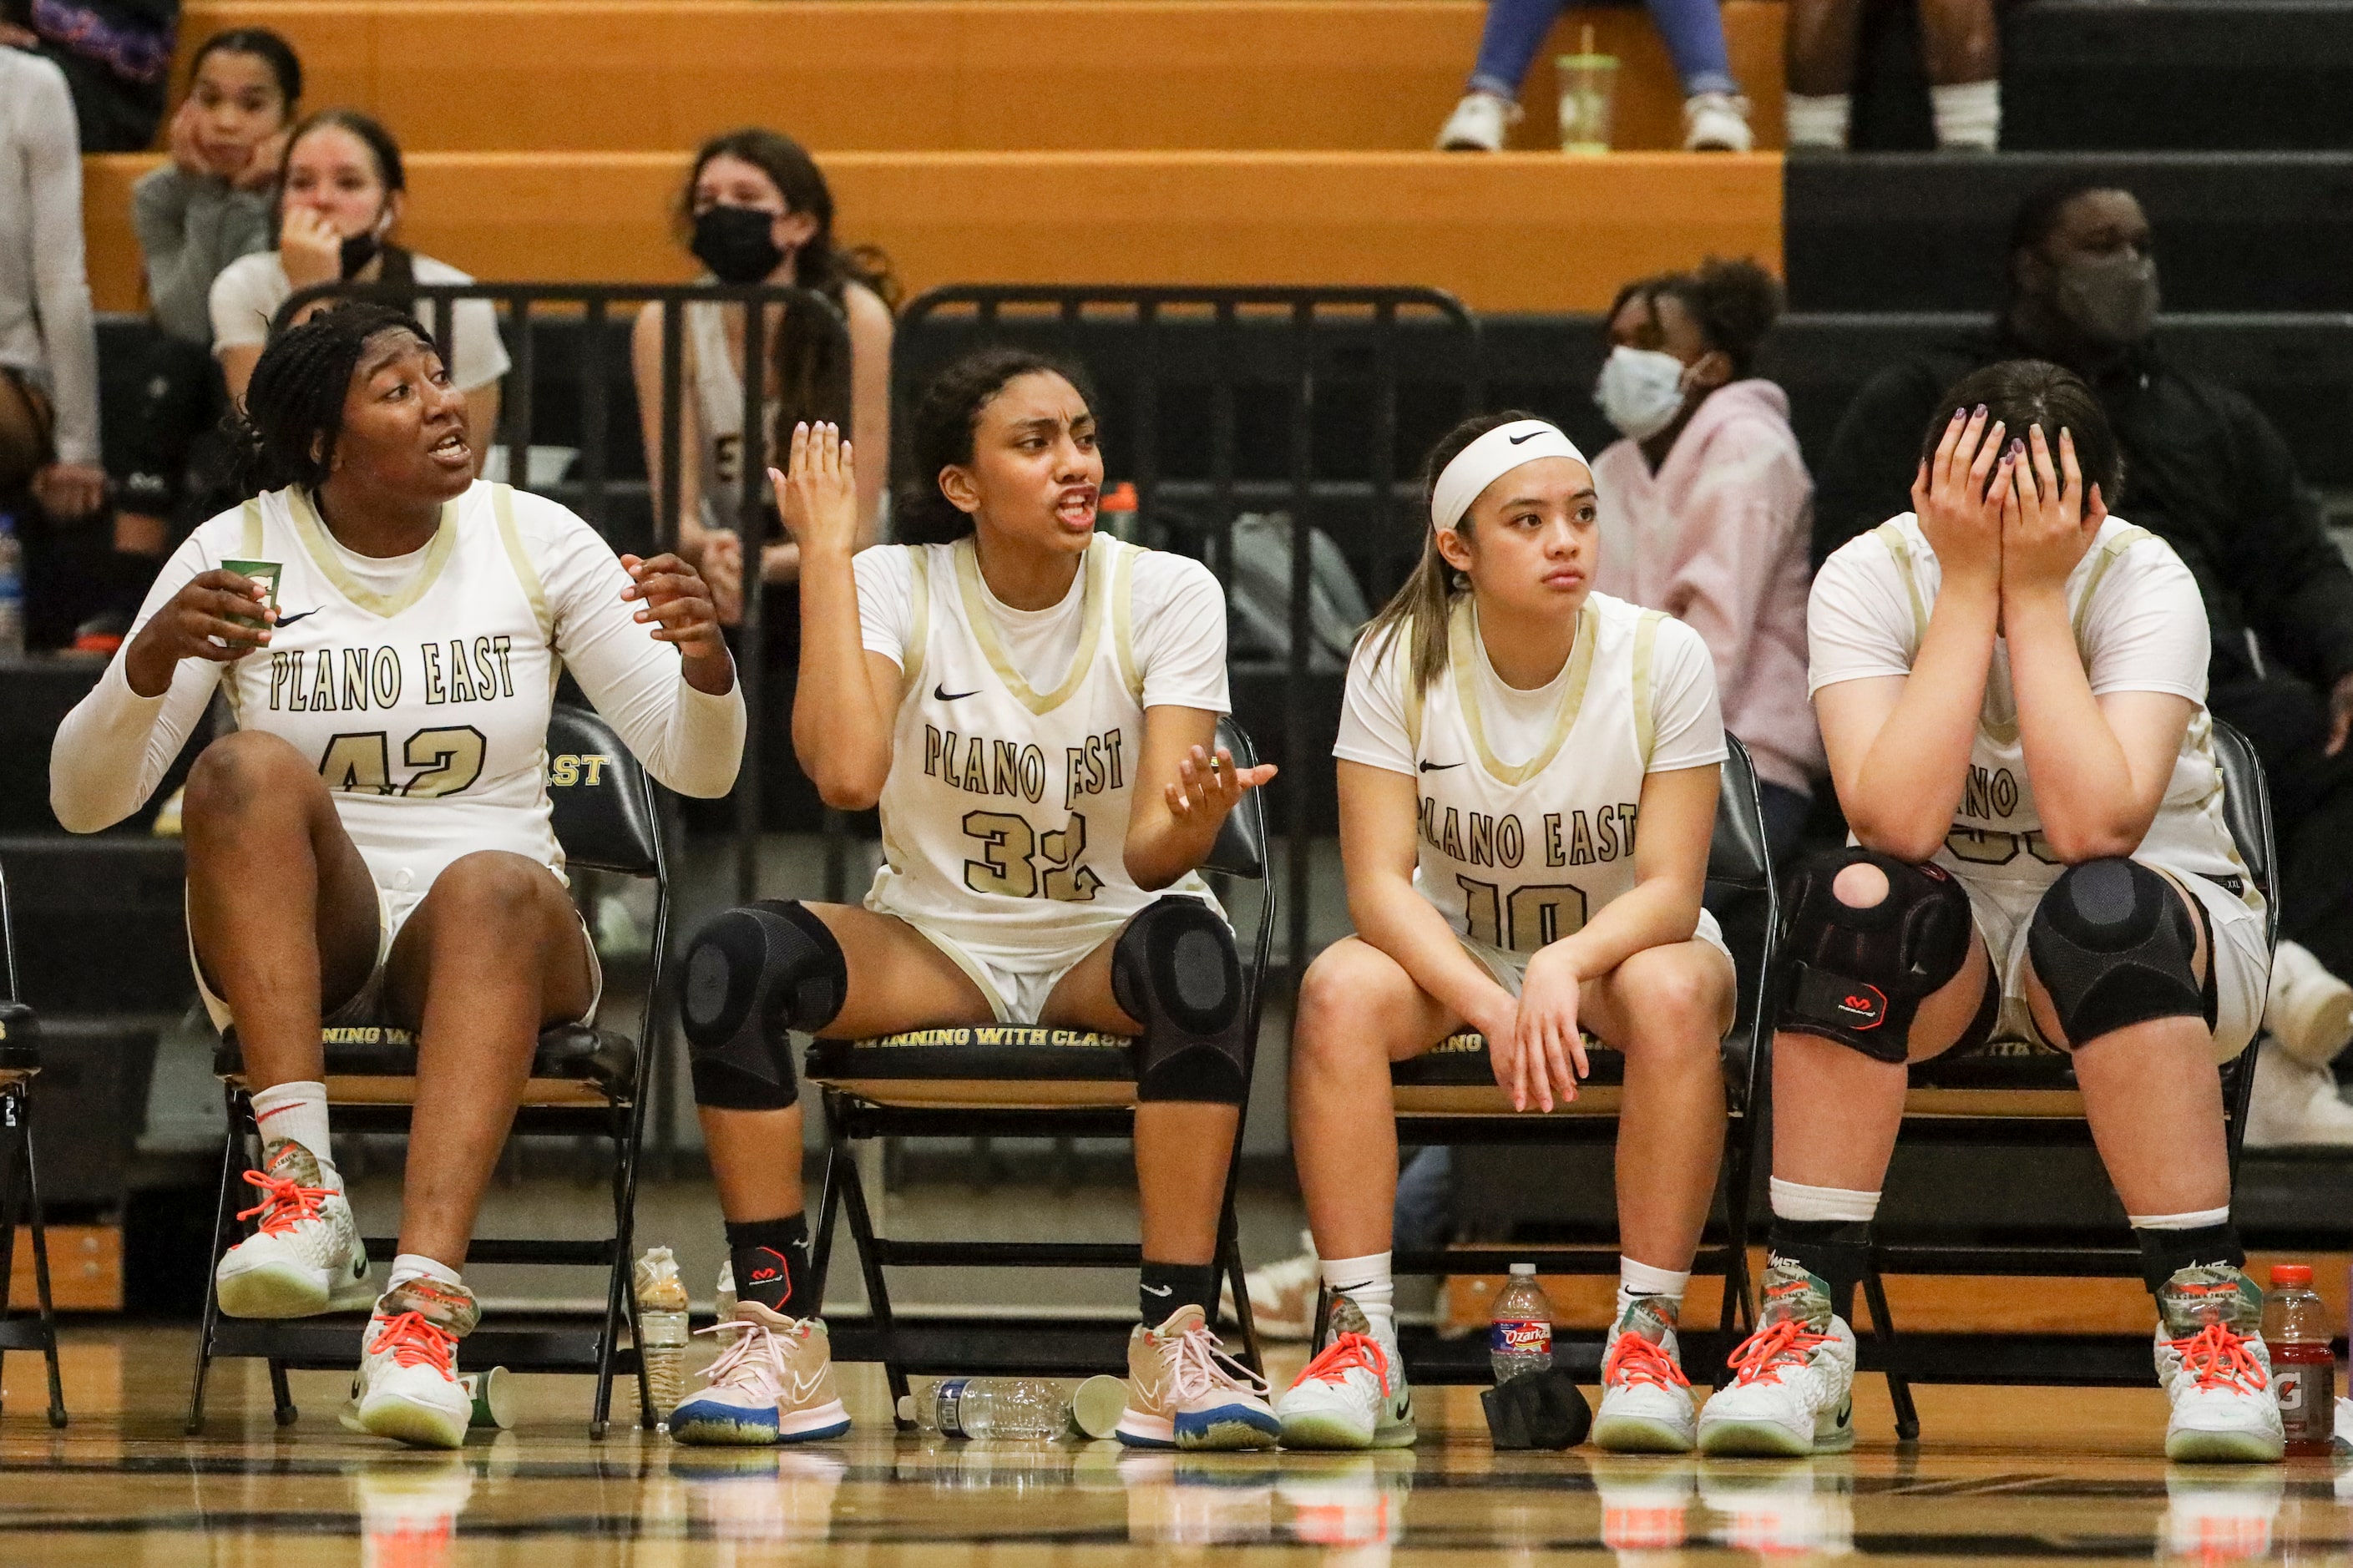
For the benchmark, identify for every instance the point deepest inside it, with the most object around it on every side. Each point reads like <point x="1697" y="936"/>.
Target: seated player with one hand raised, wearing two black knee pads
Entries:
<point x="1034" y="712"/>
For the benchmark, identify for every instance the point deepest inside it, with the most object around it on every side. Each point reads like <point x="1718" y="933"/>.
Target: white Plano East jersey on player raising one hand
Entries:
<point x="1006" y="806"/>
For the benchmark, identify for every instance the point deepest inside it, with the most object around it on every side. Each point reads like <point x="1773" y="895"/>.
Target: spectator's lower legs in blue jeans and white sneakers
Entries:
<point x="1714" y="112"/>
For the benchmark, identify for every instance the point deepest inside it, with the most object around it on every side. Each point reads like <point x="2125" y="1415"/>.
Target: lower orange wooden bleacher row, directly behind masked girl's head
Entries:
<point x="1519" y="232"/>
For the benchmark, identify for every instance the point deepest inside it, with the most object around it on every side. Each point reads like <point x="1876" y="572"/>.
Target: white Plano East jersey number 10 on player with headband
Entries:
<point x="1521" y="856"/>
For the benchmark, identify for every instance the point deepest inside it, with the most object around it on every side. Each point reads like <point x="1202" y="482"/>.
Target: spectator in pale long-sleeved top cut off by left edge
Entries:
<point x="48" y="340"/>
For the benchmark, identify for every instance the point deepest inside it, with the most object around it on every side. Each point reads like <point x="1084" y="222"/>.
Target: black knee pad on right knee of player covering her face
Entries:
<point x="2117" y="945"/>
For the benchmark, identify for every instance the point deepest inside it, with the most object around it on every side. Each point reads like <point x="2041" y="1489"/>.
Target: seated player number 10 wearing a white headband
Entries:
<point x="1528" y="790"/>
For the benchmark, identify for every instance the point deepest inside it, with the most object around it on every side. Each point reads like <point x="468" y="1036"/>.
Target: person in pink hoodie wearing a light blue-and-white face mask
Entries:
<point x="1705" y="507"/>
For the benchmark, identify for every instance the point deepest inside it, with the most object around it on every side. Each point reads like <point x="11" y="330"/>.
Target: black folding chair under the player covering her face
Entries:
<point x="2013" y="1094"/>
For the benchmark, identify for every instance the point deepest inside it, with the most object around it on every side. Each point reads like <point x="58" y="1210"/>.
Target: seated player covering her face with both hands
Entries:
<point x="2011" y="686"/>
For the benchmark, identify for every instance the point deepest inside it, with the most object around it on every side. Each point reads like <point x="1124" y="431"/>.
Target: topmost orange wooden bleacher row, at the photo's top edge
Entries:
<point x="625" y="77"/>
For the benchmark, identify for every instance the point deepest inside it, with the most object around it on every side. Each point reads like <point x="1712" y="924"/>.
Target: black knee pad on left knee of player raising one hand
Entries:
<point x="754" y="976"/>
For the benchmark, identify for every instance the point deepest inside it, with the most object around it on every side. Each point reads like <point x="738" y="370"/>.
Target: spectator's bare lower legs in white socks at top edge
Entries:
<point x="1964" y="55"/>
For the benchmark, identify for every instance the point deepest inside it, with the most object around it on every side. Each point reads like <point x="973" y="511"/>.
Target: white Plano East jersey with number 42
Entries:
<point x="427" y="712"/>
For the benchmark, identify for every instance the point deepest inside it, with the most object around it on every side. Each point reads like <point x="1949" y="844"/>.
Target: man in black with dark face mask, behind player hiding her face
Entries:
<point x="2211" y="477"/>
